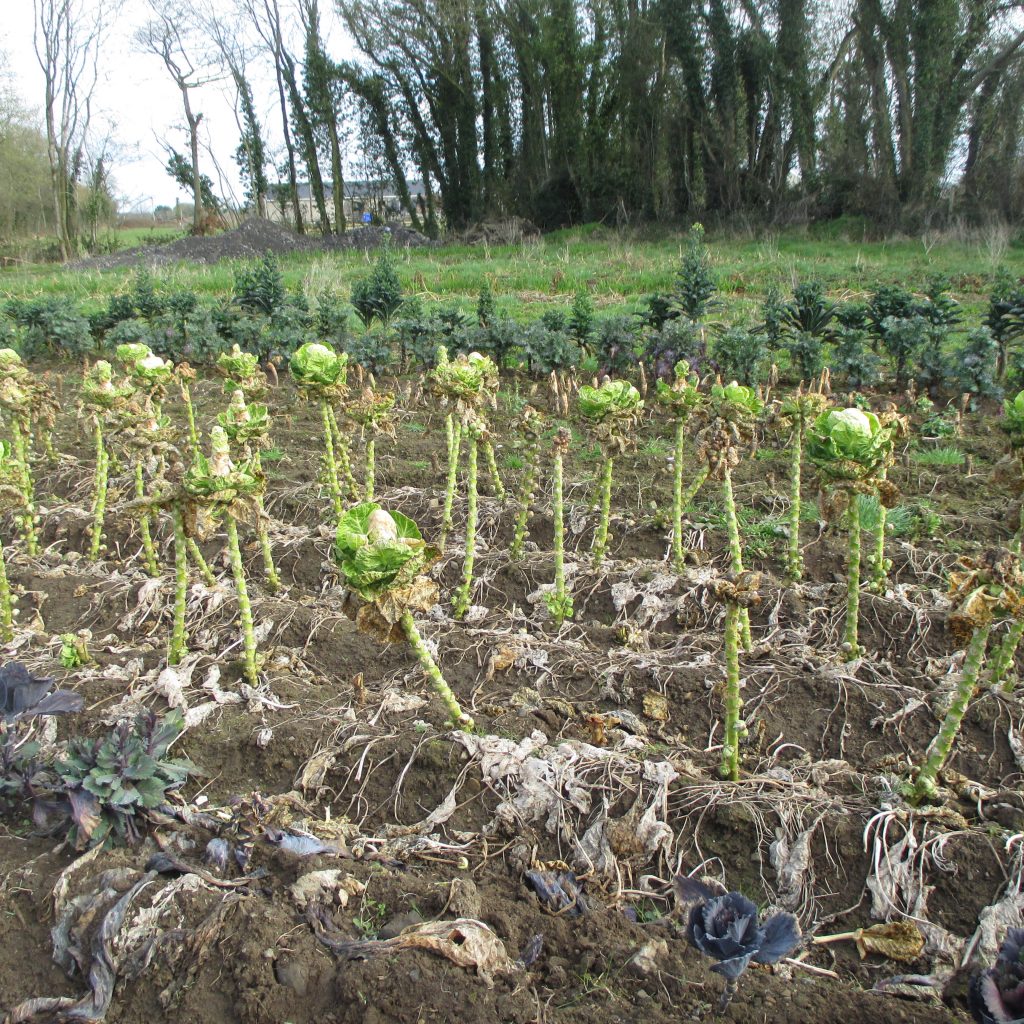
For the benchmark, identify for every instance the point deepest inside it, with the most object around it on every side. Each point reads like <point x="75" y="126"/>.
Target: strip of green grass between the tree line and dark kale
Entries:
<point x="617" y="270"/>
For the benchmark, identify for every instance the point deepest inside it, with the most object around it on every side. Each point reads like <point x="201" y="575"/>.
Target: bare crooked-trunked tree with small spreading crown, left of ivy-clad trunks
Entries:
<point x="169" y="35"/>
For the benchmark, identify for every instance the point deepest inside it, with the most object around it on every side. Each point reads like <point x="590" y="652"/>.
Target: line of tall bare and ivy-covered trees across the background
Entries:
<point x="904" y="112"/>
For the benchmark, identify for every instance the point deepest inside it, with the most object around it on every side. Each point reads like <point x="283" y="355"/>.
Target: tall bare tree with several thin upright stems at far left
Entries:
<point x="68" y="36"/>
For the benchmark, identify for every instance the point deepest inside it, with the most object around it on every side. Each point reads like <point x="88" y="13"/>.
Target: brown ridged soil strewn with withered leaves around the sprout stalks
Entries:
<point x="350" y="810"/>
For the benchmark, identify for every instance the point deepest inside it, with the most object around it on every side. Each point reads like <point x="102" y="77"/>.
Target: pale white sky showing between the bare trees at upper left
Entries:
<point x="137" y="102"/>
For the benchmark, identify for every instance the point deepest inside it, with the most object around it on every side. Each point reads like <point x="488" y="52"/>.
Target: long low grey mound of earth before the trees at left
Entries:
<point x="251" y="240"/>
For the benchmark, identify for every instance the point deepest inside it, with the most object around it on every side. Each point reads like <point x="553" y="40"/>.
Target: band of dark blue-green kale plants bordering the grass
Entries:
<point x="892" y="336"/>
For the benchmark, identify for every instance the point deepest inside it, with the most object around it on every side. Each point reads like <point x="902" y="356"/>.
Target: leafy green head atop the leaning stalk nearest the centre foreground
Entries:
<point x="377" y="550"/>
